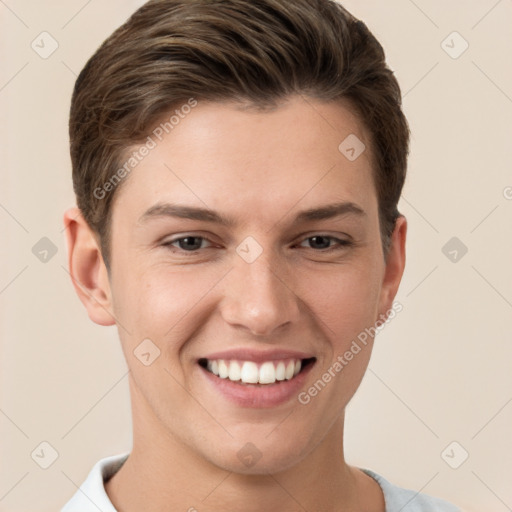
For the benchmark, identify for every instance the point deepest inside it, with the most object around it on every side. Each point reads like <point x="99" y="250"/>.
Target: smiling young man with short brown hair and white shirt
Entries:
<point x="271" y="135"/>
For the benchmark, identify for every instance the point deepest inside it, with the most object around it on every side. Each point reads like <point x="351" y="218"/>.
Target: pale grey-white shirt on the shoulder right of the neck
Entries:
<point x="406" y="500"/>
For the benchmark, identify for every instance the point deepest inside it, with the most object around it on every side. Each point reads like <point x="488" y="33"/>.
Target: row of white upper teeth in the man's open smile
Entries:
<point x="250" y="373"/>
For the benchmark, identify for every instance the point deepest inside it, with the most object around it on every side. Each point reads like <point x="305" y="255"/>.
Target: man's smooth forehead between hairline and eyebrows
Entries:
<point x="226" y="158"/>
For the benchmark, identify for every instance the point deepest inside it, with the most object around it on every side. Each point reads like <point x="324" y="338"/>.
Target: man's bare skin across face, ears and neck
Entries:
<point x="261" y="169"/>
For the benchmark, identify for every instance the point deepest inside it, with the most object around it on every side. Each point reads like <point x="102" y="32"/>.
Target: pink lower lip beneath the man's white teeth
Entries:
<point x="259" y="395"/>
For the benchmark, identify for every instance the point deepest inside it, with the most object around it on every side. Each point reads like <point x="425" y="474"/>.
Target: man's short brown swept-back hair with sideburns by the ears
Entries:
<point x="220" y="50"/>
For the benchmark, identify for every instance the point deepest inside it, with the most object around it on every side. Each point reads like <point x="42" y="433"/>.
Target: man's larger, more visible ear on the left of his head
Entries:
<point x="87" y="268"/>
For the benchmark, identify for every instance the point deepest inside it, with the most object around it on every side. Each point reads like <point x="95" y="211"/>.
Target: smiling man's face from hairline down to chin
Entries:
<point x="247" y="244"/>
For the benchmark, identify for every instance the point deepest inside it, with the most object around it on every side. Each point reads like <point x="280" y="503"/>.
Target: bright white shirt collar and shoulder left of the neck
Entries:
<point x="91" y="495"/>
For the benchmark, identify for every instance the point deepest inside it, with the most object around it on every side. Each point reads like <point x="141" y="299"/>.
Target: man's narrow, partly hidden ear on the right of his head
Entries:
<point x="395" y="264"/>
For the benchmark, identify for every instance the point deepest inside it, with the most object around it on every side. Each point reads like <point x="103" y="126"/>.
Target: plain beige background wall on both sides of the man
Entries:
<point x="441" y="372"/>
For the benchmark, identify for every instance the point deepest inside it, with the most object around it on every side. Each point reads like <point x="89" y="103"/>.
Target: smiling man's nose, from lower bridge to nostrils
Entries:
<point x="258" y="297"/>
